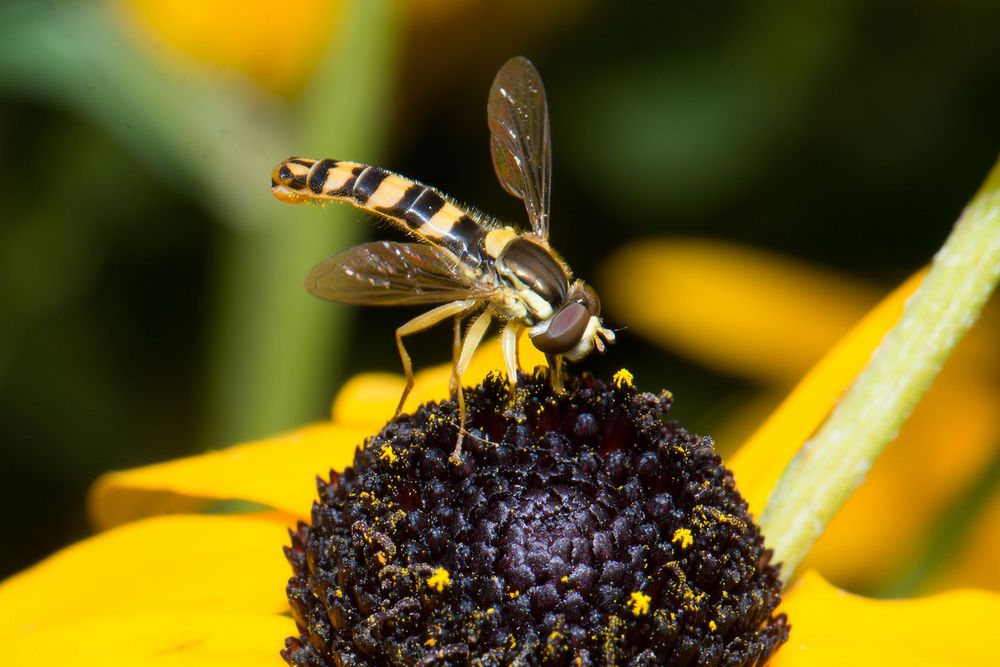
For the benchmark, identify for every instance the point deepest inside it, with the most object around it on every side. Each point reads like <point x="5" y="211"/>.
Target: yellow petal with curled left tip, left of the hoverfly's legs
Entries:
<point x="278" y="472"/>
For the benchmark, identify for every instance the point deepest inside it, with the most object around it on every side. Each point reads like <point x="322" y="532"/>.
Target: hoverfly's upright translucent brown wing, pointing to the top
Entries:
<point x="519" y="137"/>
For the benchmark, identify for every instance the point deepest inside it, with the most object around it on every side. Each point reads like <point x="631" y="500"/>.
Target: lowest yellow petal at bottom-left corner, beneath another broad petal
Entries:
<point x="161" y="638"/>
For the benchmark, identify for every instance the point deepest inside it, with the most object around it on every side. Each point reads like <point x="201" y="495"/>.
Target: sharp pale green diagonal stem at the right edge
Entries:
<point x="835" y="461"/>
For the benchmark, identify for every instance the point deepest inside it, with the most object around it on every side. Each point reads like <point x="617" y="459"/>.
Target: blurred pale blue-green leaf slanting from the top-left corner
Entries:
<point x="201" y="132"/>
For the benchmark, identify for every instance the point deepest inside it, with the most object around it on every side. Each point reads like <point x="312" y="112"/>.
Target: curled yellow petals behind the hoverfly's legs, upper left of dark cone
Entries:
<point x="280" y="472"/>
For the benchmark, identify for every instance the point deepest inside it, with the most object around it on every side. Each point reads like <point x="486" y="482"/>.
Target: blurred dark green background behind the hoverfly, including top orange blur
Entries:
<point x="150" y="288"/>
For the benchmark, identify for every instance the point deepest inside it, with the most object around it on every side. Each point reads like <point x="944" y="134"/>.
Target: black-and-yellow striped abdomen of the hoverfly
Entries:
<point x="416" y="208"/>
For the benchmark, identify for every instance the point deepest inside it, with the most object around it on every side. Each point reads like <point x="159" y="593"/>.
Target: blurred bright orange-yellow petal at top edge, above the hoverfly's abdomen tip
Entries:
<point x="266" y="41"/>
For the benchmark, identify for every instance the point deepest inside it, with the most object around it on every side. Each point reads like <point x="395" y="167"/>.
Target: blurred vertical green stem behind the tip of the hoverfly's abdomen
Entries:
<point x="277" y="350"/>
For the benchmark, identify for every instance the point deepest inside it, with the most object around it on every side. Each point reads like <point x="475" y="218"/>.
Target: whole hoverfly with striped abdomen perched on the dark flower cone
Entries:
<point x="463" y="264"/>
